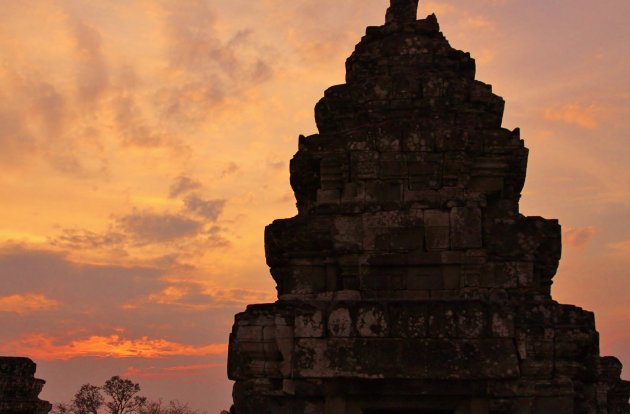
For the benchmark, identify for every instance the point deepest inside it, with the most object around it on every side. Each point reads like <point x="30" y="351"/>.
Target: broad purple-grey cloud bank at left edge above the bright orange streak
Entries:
<point x="88" y="296"/>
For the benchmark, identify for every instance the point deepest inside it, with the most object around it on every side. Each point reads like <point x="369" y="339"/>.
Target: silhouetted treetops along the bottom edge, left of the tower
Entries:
<point x="118" y="396"/>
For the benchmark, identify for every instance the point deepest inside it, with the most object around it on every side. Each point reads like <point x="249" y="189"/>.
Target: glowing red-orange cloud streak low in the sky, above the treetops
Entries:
<point x="46" y="348"/>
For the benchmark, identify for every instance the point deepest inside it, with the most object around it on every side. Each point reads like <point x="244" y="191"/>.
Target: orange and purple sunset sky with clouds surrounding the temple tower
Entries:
<point x="144" y="145"/>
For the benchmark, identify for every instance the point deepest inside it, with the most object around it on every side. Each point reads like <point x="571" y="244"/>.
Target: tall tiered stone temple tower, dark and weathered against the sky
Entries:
<point x="409" y="282"/>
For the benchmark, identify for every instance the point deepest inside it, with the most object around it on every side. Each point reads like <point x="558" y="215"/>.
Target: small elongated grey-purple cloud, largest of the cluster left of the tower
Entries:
<point x="150" y="227"/>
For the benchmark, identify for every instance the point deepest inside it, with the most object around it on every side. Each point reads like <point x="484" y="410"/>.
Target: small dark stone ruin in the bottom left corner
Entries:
<point x="19" y="389"/>
